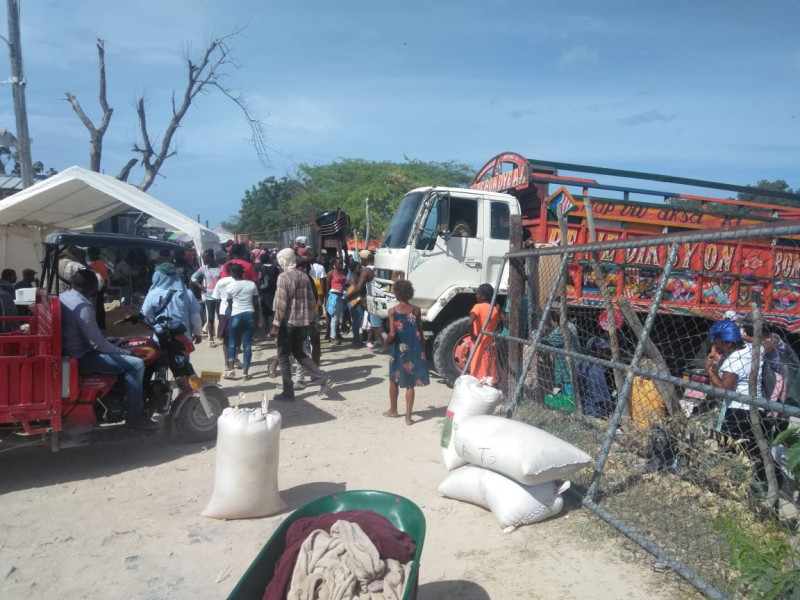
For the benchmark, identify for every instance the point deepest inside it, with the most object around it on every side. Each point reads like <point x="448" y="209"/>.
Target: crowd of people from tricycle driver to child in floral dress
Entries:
<point x="299" y="297"/>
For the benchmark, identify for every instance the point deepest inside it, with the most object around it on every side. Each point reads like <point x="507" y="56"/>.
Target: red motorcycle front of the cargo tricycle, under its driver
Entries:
<point x="191" y="414"/>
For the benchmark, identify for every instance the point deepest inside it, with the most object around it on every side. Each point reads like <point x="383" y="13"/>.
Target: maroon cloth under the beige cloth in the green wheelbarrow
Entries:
<point x="390" y="542"/>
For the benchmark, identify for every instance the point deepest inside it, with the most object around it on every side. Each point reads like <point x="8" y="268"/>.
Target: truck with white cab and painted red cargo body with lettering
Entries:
<point x="448" y="241"/>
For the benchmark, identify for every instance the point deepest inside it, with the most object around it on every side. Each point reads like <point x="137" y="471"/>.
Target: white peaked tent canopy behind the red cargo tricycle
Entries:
<point x="77" y="199"/>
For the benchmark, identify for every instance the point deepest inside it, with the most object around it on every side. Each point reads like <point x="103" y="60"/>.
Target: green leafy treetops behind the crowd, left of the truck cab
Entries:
<point x="274" y="205"/>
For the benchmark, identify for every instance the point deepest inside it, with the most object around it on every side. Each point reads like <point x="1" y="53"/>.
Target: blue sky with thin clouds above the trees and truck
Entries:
<point x="709" y="90"/>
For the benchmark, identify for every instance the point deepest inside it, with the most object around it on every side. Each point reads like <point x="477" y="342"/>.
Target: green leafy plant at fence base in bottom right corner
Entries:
<point x="765" y="561"/>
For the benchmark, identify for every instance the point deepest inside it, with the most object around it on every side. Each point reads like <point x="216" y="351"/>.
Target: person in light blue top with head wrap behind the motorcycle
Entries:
<point x="168" y="296"/>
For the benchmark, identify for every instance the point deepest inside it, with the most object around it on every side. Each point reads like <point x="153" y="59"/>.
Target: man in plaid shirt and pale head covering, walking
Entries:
<point x="294" y="311"/>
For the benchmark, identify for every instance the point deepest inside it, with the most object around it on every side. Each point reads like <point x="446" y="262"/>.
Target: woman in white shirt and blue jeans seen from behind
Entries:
<point x="242" y="295"/>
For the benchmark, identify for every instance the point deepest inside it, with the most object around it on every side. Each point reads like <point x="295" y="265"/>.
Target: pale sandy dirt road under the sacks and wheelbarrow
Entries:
<point x="121" y="518"/>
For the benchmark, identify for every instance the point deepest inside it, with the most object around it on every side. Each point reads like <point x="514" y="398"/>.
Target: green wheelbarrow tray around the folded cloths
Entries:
<point x="404" y="514"/>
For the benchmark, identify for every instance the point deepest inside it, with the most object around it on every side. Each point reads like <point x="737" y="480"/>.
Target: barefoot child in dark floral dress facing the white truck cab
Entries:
<point x="407" y="365"/>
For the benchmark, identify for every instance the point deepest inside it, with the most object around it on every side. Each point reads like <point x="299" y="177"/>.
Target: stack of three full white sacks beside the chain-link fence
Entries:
<point x="515" y="470"/>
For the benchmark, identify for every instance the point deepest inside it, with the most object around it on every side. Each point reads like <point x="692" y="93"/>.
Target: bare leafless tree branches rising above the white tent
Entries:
<point x="204" y="76"/>
